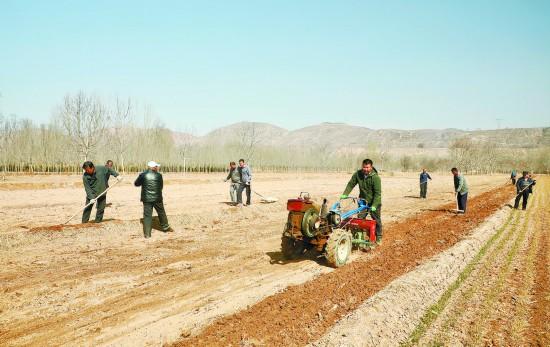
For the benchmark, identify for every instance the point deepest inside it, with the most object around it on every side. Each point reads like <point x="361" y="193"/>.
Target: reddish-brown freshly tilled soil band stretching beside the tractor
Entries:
<point x="303" y="313"/>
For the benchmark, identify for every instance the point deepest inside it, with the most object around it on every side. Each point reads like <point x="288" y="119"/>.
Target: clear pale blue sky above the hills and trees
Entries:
<point x="203" y="64"/>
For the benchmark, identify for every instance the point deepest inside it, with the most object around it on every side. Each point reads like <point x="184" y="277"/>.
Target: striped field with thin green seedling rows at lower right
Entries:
<point x="506" y="299"/>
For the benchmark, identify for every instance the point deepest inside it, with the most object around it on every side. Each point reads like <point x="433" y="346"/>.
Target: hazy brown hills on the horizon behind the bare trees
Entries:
<point x="338" y="135"/>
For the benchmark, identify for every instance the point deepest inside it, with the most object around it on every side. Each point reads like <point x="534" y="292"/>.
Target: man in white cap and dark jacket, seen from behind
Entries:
<point x="151" y="184"/>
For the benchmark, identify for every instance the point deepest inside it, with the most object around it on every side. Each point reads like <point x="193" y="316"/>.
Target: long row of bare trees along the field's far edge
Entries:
<point x="85" y="127"/>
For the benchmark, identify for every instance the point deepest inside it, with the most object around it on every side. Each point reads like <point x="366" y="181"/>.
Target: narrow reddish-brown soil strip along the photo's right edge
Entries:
<point x="539" y="331"/>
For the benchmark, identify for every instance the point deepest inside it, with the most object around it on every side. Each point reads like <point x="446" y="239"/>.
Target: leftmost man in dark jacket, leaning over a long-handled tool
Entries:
<point x="95" y="183"/>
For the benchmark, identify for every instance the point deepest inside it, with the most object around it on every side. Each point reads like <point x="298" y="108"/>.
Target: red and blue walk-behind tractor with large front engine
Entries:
<point x="332" y="232"/>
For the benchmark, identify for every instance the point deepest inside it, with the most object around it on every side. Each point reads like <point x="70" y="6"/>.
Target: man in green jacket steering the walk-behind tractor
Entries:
<point x="370" y="189"/>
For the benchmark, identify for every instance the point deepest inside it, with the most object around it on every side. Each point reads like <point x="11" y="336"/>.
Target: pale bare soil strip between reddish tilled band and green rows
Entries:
<point x="394" y="313"/>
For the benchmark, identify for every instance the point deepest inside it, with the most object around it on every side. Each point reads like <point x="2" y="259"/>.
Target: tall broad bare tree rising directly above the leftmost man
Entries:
<point x="84" y="119"/>
